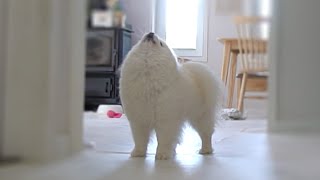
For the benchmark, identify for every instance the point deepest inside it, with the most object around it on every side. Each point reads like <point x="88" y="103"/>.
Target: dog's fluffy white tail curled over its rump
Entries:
<point x="212" y="87"/>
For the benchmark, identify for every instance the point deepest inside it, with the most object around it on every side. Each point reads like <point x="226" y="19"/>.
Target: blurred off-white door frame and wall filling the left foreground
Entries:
<point x="44" y="77"/>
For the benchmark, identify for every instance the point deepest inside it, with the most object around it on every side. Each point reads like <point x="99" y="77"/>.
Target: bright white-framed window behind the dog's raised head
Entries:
<point x="182" y="23"/>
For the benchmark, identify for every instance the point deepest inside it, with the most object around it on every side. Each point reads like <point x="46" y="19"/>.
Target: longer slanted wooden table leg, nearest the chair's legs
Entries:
<point x="231" y="79"/>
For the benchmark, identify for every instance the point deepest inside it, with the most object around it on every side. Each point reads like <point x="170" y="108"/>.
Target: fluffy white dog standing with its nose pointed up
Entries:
<point x="158" y="93"/>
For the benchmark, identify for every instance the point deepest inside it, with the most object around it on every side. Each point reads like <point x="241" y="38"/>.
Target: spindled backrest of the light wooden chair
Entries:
<point x="252" y="44"/>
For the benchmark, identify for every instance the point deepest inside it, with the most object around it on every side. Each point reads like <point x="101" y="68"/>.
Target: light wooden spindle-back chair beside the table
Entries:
<point x="253" y="70"/>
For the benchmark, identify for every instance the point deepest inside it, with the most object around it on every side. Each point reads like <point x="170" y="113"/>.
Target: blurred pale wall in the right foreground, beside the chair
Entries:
<point x="295" y="57"/>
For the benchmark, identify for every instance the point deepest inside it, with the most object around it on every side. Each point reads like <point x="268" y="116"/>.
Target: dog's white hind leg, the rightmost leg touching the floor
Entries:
<point x="205" y="128"/>
